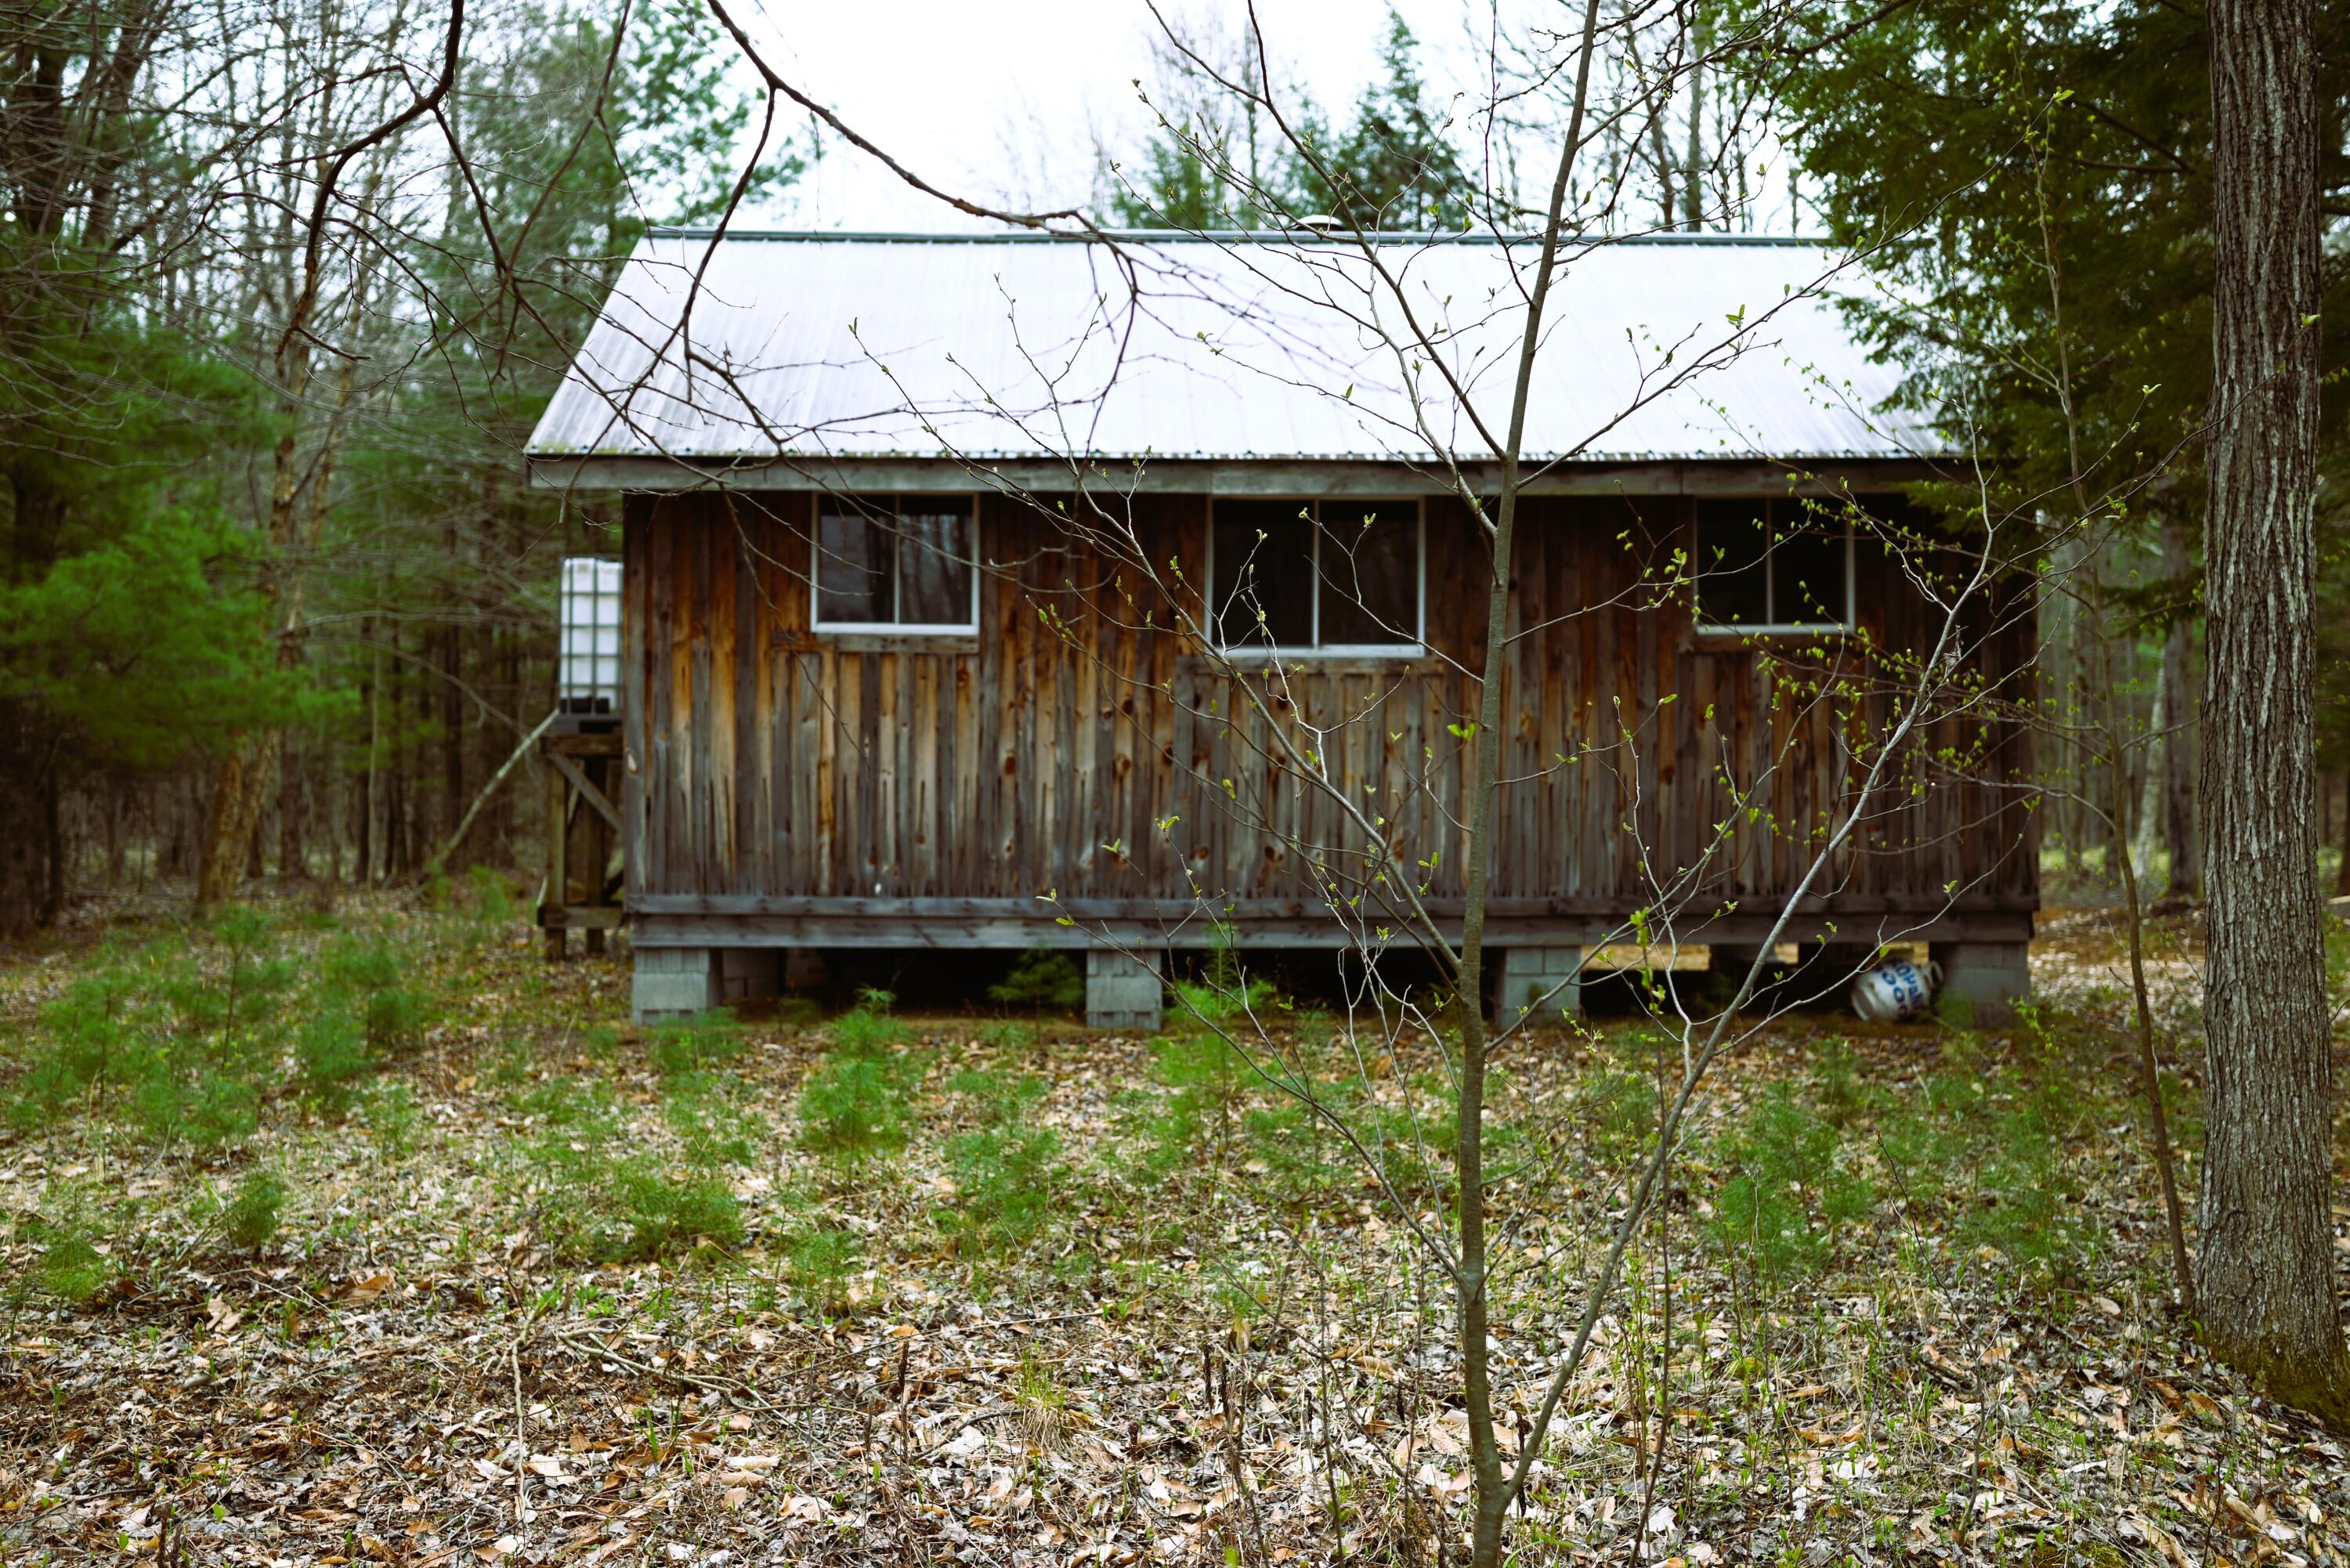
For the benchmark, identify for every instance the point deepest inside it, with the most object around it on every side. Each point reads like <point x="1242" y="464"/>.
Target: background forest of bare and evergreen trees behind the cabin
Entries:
<point x="286" y="293"/>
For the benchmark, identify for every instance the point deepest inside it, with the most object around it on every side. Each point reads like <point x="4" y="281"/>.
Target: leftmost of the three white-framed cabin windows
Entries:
<point x="897" y="565"/>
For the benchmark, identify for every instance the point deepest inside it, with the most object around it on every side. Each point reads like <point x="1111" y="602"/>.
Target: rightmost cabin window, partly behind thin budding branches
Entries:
<point x="1773" y="565"/>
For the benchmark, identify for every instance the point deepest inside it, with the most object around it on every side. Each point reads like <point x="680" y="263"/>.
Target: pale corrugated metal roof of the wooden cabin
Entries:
<point x="1244" y="347"/>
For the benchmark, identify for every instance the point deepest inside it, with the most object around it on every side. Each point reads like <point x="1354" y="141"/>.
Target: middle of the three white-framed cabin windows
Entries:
<point x="1317" y="577"/>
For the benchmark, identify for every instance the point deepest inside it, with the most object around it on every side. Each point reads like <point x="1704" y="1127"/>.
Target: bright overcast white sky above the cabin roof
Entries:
<point x="1009" y="98"/>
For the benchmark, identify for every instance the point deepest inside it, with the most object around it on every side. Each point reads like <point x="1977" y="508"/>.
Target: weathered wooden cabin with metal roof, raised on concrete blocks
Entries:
<point x="880" y="692"/>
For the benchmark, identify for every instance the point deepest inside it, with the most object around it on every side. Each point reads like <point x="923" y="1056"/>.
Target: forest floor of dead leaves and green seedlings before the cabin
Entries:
<point x="375" y="1238"/>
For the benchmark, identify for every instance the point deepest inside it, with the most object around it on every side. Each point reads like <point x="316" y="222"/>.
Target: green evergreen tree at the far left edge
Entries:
<point x="126" y="589"/>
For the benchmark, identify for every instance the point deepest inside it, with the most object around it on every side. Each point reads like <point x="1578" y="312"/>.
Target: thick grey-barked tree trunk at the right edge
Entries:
<point x="2267" y="1268"/>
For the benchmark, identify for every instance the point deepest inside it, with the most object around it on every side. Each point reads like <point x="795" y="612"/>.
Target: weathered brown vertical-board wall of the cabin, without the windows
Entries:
<point x="810" y="789"/>
